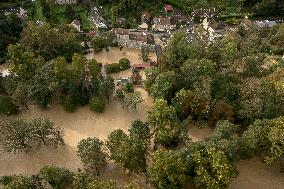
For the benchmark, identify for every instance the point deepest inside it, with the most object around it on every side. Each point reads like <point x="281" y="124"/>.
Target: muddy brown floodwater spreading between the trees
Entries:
<point x="84" y="123"/>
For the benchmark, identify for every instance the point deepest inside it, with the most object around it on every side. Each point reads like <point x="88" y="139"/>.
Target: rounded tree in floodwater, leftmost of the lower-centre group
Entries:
<point x="91" y="153"/>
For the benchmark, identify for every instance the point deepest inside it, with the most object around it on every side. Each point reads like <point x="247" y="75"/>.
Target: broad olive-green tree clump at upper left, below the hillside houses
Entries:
<point x="50" y="42"/>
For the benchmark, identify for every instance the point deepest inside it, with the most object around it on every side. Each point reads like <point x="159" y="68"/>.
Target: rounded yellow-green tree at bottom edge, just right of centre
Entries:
<point x="169" y="169"/>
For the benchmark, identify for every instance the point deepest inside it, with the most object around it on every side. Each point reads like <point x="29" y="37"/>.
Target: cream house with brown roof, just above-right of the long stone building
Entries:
<point x="163" y="24"/>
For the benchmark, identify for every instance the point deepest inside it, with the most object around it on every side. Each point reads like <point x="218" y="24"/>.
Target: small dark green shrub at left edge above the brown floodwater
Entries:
<point x="7" y="107"/>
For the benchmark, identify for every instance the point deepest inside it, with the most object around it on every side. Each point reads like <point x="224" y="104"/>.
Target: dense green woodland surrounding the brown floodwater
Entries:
<point x="229" y="85"/>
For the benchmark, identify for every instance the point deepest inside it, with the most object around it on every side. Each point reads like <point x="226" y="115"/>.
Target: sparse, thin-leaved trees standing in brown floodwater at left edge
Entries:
<point x="18" y="135"/>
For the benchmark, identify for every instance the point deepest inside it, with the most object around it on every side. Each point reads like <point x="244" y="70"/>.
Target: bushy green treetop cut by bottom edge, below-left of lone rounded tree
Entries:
<point x="58" y="178"/>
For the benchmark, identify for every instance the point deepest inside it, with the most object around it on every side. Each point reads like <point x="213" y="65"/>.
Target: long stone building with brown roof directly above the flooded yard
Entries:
<point x="133" y="38"/>
